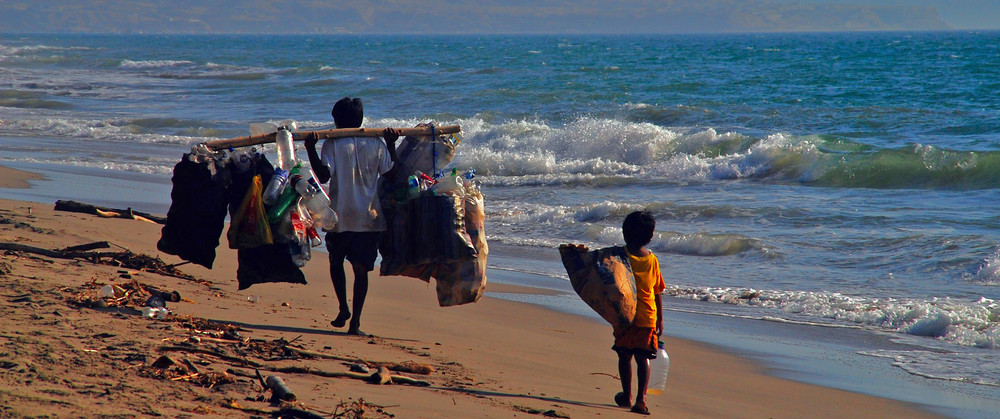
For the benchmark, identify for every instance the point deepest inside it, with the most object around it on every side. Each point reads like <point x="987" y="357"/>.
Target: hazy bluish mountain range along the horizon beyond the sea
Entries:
<point x="453" y="16"/>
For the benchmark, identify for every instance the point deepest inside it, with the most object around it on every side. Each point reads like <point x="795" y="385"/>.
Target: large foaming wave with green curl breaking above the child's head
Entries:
<point x="593" y="147"/>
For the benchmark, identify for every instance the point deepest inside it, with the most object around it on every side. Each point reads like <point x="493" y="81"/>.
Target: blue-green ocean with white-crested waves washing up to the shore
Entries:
<point x="838" y="190"/>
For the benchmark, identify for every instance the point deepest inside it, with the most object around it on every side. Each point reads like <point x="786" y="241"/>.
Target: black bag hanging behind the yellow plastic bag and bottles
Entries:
<point x="270" y="262"/>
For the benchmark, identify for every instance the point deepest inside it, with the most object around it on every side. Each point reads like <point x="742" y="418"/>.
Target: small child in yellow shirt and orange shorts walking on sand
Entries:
<point x="639" y="341"/>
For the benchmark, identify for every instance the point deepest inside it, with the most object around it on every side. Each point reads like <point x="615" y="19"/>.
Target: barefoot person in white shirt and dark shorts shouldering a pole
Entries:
<point x="353" y="166"/>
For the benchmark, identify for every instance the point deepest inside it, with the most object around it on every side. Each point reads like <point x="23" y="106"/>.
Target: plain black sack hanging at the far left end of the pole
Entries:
<point x="197" y="211"/>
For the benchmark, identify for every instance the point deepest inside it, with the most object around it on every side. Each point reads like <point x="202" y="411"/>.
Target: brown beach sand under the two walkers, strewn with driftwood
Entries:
<point x="494" y="358"/>
